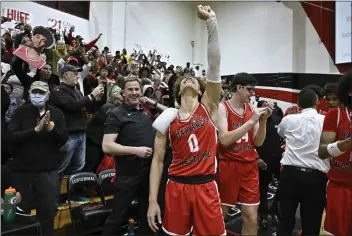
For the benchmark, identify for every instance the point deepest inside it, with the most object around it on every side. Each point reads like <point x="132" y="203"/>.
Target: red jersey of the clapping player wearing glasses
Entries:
<point x="243" y="149"/>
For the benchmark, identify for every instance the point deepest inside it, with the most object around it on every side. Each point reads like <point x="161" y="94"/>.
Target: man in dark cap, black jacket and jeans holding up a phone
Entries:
<point x="71" y="102"/>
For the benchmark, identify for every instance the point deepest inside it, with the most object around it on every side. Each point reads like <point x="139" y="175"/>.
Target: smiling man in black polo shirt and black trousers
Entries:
<point x="129" y="136"/>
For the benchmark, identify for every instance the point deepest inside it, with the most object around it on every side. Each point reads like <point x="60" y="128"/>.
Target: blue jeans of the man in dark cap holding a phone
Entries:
<point x="73" y="155"/>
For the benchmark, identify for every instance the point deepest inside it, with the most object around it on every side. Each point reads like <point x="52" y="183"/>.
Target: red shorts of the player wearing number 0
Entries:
<point x="193" y="207"/>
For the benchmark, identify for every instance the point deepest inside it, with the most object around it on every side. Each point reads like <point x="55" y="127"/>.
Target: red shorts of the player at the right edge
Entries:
<point x="338" y="219"/>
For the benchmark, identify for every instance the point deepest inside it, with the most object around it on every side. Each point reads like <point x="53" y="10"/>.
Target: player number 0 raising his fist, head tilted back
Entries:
<point x="191" y="200"/>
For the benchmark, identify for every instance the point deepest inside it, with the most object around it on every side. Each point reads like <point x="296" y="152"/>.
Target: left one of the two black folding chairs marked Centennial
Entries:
<point x="86" y="218"/>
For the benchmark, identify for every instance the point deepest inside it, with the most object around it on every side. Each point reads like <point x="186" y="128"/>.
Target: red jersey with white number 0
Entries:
<point x="194" y="144"/>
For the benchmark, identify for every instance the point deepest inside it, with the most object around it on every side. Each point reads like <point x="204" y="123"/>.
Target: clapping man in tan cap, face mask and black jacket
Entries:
<point x="36" y="133"/>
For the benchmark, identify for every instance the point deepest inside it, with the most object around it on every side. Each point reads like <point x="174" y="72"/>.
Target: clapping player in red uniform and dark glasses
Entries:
<point x="241" y="129"/>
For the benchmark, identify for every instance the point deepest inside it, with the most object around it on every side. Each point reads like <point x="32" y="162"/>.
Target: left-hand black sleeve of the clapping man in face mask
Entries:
<point x="15" y="133"/>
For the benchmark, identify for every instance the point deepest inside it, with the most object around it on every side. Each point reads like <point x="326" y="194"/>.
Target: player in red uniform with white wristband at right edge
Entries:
<point x="336" y="143"/>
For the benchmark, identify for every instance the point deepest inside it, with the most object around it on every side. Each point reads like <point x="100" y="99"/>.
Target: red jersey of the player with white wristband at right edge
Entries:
<point x="338" y="120"/>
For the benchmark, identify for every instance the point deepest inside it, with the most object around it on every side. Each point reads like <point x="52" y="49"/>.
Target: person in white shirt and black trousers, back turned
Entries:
<point x="303" y="179"/>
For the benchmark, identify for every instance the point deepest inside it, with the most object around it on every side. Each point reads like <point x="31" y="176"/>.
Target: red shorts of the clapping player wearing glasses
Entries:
<point x="238" y="183"/>
